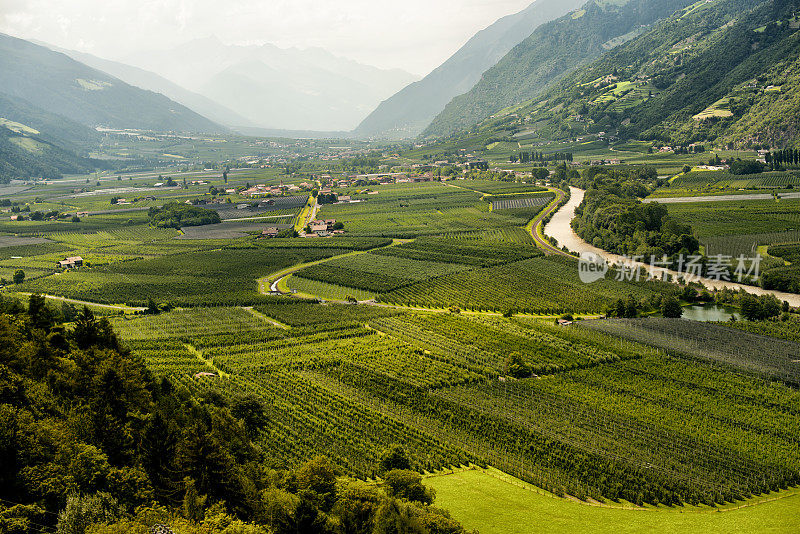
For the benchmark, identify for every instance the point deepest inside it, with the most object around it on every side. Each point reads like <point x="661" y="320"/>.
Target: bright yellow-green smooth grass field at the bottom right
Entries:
<point x="503" y="505"/>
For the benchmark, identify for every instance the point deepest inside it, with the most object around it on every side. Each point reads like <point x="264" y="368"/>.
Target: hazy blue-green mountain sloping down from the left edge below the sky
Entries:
<point x="58" y="84"/>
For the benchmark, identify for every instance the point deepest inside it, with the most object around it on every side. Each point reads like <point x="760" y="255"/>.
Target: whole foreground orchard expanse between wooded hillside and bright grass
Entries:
<point x="612" y="412"/>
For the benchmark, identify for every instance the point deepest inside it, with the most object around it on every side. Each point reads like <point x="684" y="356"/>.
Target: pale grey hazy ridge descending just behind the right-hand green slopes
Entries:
<point x="407" y="113"/>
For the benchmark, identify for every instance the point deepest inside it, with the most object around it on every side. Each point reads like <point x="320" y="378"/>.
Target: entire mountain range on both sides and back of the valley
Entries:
<point x="671" y="71"/>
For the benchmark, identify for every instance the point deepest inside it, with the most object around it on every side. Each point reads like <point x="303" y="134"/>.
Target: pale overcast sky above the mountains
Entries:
<point x="415" y="35"/>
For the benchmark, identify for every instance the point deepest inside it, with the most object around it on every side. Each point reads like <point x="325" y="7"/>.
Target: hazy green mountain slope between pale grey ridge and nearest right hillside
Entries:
<point x="553" y="50"/>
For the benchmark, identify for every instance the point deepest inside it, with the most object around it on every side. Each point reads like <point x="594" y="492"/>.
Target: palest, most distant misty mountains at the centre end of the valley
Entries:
<point x="277" y="88"/>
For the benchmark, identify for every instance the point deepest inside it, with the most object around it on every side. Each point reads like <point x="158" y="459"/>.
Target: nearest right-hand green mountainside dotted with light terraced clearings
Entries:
<point x="724" y="71"/>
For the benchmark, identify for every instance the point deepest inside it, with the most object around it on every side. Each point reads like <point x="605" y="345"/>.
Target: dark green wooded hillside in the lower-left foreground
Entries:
<point x="91" y="441"/>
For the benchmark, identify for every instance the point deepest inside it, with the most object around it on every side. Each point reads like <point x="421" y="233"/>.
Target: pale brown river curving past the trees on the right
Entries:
<point x="560" y="228"/>
